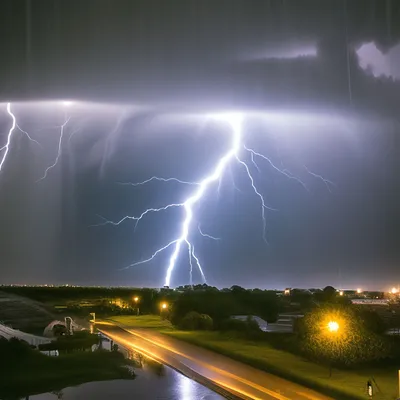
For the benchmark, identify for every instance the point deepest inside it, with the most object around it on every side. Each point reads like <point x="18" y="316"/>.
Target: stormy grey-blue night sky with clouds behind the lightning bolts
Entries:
<point x="318" y="84"/>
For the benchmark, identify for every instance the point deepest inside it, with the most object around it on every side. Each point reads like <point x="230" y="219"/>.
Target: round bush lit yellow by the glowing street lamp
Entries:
<point x="351" y="344"/>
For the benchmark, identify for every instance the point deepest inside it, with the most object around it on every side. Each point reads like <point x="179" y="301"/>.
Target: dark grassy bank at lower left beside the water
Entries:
<point x="34" y="372"/>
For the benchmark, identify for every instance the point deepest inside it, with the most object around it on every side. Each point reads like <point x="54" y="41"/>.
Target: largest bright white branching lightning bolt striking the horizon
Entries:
<point x="232" y="154"/>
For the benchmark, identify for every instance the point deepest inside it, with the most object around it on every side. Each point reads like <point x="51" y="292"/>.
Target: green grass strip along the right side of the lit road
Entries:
<point x="344" y="384"/>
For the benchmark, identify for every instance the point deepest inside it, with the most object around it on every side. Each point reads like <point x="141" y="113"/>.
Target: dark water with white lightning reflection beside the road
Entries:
<point x="148" y="386"/>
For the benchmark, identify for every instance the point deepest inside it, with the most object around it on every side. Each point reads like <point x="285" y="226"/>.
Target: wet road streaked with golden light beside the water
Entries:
<point x="237" y="378"/>
